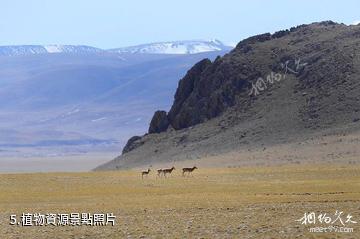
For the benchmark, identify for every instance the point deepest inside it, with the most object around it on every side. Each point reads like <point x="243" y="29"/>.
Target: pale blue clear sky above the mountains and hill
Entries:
<point x="117" y="23"/>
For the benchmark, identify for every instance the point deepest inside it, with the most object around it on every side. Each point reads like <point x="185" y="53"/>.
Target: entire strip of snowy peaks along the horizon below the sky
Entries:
<point x="175" y="47"/>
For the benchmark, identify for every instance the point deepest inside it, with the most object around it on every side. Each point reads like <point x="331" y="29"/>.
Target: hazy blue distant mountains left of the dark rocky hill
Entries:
<point x="69" y="98"/>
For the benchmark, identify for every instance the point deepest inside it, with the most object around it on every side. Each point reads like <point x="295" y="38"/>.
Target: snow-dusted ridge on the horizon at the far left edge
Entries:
<point x="44" y="49"/>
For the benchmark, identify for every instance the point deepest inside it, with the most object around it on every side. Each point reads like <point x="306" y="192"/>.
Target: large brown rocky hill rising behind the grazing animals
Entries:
<point x="288" y="97"/>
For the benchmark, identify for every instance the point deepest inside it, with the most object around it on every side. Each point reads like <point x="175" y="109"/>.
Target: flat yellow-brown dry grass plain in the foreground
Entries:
<point x="251" y="202"/>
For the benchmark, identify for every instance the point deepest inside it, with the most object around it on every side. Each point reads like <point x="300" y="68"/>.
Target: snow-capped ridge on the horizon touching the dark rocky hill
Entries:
<point x="176" y="47"/>
